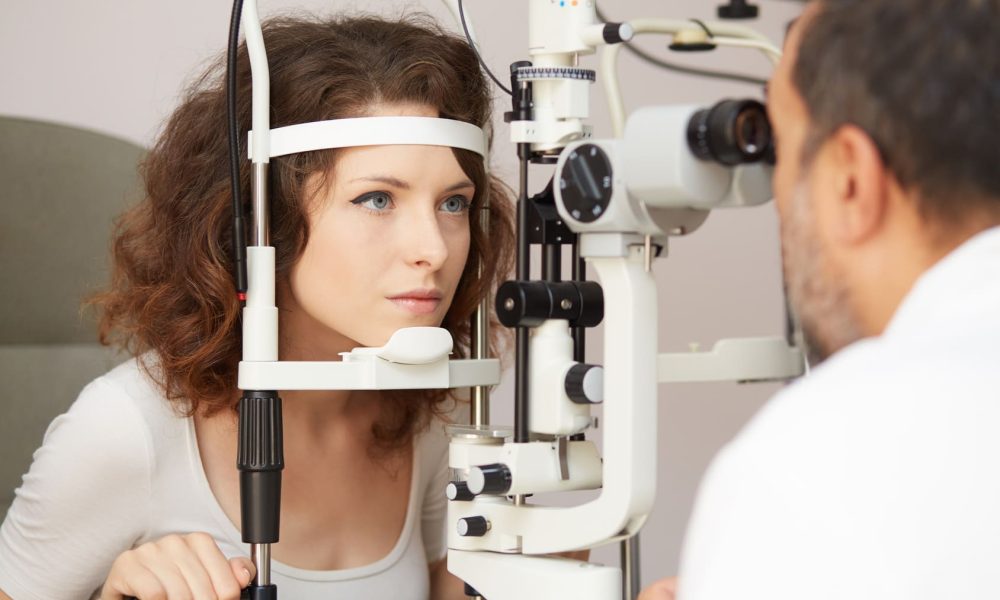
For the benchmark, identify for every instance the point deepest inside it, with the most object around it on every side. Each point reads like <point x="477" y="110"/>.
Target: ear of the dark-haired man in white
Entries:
<point x="860" y="185"/>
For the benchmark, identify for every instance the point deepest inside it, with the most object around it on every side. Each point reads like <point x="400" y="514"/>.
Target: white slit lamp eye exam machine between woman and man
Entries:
<point x="615" y="202"/>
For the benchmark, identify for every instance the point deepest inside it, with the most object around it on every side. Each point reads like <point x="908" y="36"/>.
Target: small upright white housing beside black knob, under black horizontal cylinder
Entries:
<point x="552" y="412"/>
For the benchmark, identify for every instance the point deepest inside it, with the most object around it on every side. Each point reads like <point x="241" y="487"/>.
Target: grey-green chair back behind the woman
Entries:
<point x="60" y="189"/>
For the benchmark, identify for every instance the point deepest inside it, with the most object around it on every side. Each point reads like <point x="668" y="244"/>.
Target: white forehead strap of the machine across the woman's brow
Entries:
<point x="373" y="131"/>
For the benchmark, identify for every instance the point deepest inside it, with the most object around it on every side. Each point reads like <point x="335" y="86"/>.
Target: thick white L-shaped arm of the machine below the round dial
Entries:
<point x="628" y="473"/>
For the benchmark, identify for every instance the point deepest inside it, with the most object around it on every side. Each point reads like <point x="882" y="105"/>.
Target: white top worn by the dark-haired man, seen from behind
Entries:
<point x="877" y="477"/>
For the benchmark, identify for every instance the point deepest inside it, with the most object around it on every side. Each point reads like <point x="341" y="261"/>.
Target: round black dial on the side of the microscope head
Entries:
<point x="585" y="183"/>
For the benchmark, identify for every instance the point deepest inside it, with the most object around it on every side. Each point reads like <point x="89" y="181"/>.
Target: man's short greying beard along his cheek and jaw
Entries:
<point x="819" y="296"/>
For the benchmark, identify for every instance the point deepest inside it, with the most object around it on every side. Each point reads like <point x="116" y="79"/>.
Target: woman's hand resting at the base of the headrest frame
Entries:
<point x="177" y="567"/>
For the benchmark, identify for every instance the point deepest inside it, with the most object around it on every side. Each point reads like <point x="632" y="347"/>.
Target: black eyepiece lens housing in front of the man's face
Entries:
<point x="733" y="132"/>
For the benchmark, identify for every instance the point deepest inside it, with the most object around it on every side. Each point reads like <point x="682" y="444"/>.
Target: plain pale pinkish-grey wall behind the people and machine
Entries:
<point x="118" y="66"/>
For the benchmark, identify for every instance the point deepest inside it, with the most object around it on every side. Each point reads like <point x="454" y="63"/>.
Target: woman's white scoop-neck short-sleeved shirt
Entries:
<point x="121" y="468"/>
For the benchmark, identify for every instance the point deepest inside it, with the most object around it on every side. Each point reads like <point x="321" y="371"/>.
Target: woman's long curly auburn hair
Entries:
<point x="172" y="289"/>
